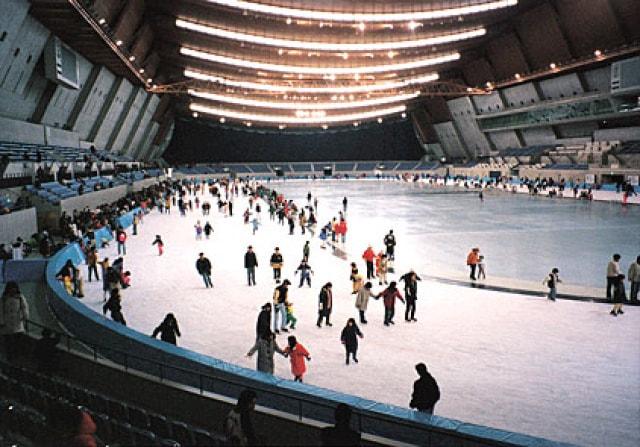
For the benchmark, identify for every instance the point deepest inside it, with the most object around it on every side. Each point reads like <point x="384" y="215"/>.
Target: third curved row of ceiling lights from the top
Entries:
<point x="314" y="70"/>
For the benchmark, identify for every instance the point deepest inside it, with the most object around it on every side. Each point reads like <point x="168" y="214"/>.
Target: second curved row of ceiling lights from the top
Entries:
<point x="327" y="46"/>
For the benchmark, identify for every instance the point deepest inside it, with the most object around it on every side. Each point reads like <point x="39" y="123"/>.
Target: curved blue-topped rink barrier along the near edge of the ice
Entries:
<point x="140" y="352"/>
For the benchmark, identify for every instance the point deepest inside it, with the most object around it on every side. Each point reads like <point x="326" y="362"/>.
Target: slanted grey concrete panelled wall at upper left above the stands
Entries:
<point x="106" y="111"/>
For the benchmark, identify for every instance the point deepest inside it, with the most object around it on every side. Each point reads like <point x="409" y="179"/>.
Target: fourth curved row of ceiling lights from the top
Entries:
<point x="361" y="88"/>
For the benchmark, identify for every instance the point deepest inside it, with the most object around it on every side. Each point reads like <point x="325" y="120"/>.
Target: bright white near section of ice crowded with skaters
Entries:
<point x="567" y="371"/>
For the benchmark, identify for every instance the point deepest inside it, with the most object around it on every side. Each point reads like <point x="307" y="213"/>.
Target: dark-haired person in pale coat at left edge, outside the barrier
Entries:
<point x="14" y="313"/>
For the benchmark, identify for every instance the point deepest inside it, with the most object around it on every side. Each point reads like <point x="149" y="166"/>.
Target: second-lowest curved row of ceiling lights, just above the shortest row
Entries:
<point x="241" y="101"/>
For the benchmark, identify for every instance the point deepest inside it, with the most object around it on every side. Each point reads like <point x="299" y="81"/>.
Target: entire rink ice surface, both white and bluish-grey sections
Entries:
<point x="564" y="370"/>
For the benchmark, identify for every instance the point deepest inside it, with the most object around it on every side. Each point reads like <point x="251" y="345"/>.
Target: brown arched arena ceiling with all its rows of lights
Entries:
<point x="327" y="63"/>
